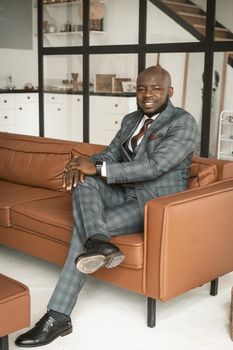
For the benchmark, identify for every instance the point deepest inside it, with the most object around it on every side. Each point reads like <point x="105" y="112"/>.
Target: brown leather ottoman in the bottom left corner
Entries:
<point x="14" y="308"/>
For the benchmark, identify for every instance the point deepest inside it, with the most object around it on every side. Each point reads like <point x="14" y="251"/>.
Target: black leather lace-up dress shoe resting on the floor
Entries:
<point x="44" y="332"/>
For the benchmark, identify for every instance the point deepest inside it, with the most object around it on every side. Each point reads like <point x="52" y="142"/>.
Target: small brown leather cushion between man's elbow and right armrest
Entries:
<point x="202" y="173"/>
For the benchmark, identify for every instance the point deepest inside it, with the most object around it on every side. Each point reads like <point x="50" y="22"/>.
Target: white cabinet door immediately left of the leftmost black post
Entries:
<point x="27" y="114"/>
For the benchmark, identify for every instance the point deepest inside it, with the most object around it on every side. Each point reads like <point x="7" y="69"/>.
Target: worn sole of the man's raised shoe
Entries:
<point x="90" y="264"/>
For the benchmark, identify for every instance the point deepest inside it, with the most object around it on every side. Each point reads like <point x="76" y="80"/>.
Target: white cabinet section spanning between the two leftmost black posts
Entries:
<point x="63" y="115"/>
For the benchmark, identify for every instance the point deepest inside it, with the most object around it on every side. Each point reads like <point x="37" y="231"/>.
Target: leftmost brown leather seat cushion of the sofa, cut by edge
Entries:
<point x="15" y="194"/>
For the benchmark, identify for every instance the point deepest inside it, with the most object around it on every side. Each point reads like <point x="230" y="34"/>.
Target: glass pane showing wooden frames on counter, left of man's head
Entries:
<point x="113" y="82"/>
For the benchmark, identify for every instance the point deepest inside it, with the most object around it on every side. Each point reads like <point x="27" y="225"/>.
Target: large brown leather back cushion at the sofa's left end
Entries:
<point x="33" y="164"/>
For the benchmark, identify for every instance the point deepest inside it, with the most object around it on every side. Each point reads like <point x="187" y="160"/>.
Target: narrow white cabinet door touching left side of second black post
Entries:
<point x="74" y="113"/>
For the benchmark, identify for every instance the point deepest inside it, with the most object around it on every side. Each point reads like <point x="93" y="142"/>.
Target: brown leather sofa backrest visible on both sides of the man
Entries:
<point x="40" y="162"/>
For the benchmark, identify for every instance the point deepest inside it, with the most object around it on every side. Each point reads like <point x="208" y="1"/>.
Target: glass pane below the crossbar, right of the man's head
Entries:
<point x="186" y="71"/>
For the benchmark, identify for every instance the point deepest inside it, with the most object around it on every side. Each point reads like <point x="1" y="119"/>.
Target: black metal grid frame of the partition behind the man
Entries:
<point x="207" y="46"/>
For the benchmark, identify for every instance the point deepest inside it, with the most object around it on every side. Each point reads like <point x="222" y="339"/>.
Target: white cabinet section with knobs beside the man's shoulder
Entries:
<point x="106" y="114"/>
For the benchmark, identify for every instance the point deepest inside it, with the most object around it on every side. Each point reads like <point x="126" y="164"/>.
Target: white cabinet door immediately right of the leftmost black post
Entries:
<point x="55" y="116"/>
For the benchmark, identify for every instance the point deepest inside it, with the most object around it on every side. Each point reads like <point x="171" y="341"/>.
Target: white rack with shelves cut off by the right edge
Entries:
<point x="225" y="135"/>
